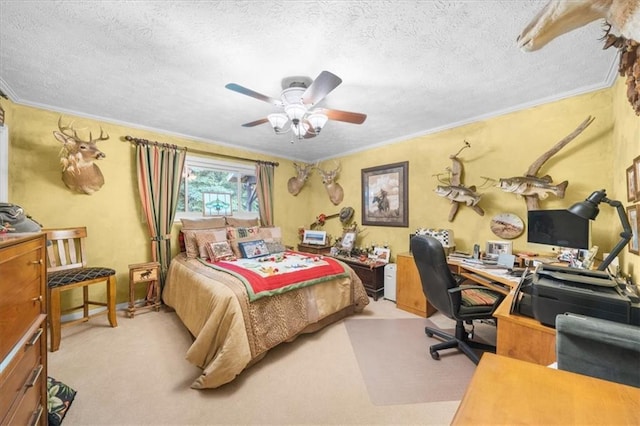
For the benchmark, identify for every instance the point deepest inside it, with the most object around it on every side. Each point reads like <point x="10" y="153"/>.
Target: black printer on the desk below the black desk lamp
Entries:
<point x="555" y="290"/>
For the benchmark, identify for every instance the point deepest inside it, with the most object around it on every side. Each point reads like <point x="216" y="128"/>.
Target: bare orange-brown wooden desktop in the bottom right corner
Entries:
<point x="508" y="391"/>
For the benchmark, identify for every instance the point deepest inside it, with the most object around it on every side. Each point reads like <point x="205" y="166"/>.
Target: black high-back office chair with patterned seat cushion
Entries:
<point x="460" y="303"/>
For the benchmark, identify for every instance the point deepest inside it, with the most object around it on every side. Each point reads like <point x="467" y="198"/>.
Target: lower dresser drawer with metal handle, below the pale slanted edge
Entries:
<point x="20" y="370"/>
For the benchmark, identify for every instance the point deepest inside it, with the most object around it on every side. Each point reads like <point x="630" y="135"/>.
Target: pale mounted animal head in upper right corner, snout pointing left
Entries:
<point x="559" y="17"/>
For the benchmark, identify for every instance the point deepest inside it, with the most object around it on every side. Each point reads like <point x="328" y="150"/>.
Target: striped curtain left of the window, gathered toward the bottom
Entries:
<point x="159" y="175"/>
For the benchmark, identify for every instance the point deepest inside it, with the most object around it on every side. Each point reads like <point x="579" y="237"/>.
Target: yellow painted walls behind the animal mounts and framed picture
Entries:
<point x="500" y="147"/>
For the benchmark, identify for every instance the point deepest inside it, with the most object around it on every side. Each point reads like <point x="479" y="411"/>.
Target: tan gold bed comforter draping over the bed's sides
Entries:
<point x="231" y="333"/>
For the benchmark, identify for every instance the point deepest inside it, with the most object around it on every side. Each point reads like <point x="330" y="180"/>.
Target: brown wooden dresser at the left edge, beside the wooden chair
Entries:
<point x="23" y="329"/>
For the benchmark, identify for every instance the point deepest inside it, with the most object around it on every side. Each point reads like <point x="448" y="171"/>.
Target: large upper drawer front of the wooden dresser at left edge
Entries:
<point x="21" y="290"/>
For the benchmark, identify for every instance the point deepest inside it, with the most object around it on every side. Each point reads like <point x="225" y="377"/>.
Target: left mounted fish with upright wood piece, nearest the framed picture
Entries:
<point x="455" y="191"/>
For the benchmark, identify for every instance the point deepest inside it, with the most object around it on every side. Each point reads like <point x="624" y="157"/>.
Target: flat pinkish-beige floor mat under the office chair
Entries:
<point x="393" y="356"/>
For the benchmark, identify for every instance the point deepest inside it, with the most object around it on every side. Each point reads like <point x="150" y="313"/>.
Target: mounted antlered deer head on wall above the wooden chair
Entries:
<point x="79" y="173"/>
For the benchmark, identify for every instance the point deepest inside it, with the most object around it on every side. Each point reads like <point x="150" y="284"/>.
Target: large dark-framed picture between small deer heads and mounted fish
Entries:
<point x="385" y="198"/>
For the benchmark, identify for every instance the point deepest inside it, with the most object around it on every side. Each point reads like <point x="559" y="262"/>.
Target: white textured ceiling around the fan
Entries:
<point x="414" y="67"/>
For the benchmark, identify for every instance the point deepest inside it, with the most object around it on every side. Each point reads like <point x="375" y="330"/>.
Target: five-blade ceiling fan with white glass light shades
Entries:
<point x="298" y="99"/>
